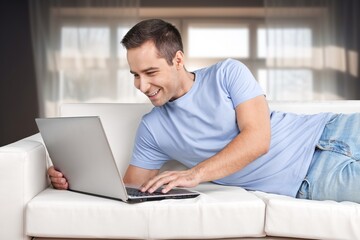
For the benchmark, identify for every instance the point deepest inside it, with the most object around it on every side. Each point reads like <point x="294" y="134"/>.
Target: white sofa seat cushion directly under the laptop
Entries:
<point x="219" y="212"/>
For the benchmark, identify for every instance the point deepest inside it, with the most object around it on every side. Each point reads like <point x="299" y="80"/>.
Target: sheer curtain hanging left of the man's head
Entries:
<point x="78" y="55"/>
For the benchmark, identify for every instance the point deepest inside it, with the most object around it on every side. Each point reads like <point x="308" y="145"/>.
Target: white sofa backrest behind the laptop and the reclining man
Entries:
<point x="112" y="114"/>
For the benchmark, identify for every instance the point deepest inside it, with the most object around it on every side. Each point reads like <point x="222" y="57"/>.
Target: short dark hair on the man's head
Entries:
<point x="166" y="37"/>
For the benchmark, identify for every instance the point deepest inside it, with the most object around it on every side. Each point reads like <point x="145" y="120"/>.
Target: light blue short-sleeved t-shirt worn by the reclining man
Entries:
<point x="201" y="123"/>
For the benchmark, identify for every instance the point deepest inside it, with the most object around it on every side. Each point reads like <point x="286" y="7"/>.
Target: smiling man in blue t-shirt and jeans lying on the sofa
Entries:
<point x="216" y="121"/>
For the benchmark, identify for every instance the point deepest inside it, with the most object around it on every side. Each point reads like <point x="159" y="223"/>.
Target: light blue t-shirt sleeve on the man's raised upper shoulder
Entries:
<point x="240" y="83"/>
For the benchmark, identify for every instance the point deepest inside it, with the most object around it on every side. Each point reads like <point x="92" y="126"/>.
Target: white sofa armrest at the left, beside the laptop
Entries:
<point x="23" y="167"/>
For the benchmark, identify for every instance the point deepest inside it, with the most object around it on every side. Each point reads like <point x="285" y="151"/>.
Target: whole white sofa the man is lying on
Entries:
<point x="29" y="207"/>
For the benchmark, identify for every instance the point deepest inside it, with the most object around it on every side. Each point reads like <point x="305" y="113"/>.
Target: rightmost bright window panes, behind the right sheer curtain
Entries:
<point x="291" y="47"/>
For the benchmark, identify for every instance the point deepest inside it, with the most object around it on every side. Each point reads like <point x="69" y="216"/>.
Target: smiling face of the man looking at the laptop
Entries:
<point x="153" y="76"/>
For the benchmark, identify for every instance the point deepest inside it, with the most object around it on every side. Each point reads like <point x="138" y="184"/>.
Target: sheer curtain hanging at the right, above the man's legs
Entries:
<point x="312" y="50"/>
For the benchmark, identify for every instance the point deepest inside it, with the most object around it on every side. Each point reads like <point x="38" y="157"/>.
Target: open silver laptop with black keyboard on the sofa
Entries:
<point x="78" y="147"/>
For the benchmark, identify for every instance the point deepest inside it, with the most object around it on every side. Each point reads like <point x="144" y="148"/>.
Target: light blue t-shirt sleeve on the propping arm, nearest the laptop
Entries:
<point x="146" y="153"/>
